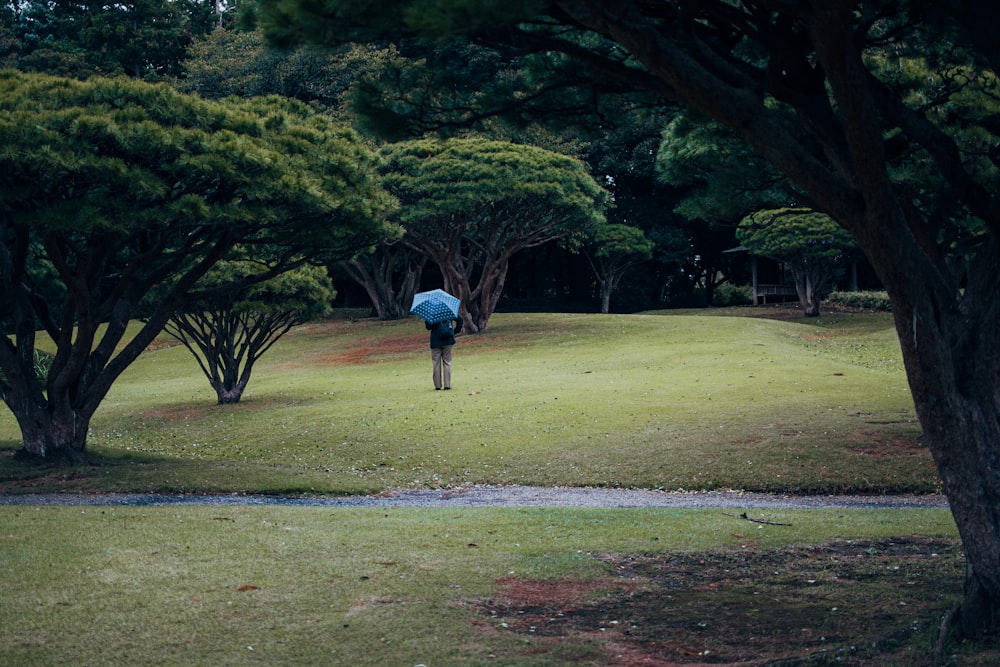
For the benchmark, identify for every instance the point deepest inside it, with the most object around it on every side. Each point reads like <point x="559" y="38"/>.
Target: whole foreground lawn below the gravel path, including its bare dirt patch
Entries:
<point x="249" y="585"/>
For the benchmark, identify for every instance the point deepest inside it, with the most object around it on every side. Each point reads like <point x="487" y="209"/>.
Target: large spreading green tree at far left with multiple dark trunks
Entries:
<point x="111" y="188"/>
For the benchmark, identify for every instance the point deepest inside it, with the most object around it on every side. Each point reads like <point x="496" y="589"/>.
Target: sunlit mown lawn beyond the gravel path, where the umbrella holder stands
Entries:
<point x="655" y="400"/>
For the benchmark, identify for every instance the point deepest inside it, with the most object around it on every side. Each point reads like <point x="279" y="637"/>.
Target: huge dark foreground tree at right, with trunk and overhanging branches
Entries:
<point x="823" y="90"/>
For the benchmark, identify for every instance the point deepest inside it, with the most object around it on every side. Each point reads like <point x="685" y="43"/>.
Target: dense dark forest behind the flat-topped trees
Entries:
<point x="683" y="198"/>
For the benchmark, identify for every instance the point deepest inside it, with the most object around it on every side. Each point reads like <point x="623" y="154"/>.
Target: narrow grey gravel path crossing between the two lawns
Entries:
<point x="501" y="496"/>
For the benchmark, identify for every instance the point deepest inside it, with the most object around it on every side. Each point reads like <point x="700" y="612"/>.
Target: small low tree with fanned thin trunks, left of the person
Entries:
<point x="228" y="331"/>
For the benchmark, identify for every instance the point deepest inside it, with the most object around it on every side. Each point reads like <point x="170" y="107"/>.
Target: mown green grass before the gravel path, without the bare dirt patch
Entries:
<point x="312" y="586"/>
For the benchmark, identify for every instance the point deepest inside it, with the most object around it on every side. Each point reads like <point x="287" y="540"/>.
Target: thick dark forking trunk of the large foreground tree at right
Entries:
<point x="946" y="313"/>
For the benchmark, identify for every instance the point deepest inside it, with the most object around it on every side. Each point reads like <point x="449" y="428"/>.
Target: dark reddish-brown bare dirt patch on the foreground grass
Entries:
<point x="847" y="603"/>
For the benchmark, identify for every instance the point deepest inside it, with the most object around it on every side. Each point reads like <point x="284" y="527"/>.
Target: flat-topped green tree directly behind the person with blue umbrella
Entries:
<point x="471" y="204"/>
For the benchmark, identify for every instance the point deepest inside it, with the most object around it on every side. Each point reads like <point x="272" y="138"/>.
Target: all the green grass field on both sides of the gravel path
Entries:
<point x="659" y="400"/>
